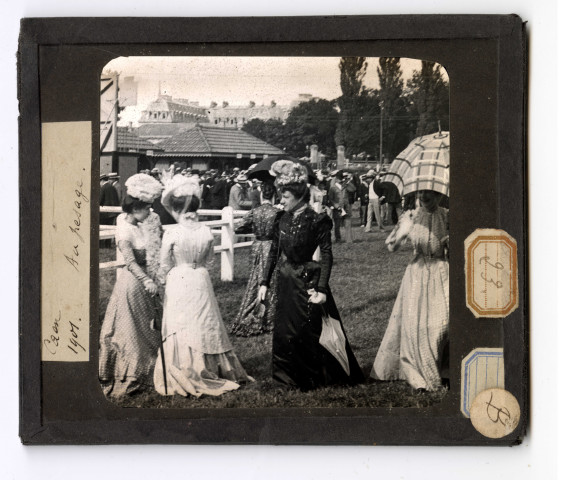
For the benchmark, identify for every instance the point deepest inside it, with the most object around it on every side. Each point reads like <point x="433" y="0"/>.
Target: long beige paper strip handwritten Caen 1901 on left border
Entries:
<point x="65" y="265"/>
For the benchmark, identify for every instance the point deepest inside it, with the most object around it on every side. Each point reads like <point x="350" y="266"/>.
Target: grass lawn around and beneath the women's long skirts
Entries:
<point x="365" y="280"/>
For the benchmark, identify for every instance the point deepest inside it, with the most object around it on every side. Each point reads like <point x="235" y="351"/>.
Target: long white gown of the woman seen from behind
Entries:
<point x="198" y="353"/>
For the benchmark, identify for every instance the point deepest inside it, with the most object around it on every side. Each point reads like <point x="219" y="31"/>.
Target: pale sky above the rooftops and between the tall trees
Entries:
<point x="239" y="80"/>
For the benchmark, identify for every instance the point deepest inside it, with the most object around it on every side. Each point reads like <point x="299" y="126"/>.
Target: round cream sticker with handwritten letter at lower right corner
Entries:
<point x="495" y="413"/>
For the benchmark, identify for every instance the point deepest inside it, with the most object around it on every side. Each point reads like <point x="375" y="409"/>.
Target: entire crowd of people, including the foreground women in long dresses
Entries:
<point x="163" y="327"/>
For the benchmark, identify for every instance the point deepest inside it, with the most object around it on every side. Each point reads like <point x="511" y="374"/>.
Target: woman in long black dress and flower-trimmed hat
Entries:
<point x="299" y="360"/>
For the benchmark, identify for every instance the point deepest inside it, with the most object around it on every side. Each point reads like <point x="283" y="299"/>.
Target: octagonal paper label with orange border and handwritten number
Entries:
<point x="491" y="273"/>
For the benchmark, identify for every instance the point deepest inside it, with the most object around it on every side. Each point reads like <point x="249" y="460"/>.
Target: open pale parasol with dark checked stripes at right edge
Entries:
<point x="424" y="165"/>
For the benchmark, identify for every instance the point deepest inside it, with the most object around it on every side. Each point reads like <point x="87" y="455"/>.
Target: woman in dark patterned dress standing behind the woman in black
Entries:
<point x="254" y="317"/>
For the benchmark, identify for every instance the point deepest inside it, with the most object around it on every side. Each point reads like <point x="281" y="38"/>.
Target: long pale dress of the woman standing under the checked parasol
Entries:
<point x="417" y="332"/>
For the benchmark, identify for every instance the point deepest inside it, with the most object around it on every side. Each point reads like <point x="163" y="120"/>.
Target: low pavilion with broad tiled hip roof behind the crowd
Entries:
<point x="206" y="146"/>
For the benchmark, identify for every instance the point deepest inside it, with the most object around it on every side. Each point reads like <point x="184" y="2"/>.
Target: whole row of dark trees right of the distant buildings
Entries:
<point x="354" y="119"/>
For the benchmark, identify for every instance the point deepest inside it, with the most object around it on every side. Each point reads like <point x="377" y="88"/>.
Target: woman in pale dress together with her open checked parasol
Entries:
<point x="416" y="339"/>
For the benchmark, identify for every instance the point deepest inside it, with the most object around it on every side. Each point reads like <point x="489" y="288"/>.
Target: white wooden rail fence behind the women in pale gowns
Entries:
<point x="226" y="232"/>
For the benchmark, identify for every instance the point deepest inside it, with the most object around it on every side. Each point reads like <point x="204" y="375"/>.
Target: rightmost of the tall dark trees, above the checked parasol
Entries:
<point x="429" y="99"/>
